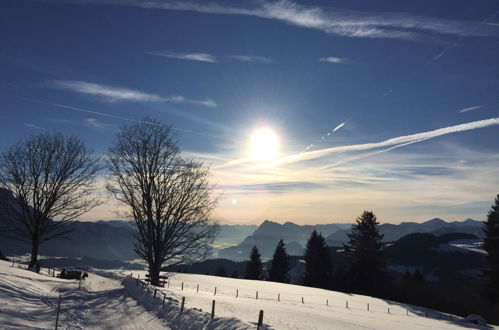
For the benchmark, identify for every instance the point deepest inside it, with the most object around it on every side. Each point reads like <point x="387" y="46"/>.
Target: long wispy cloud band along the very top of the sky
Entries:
<point x="333" y="21"/>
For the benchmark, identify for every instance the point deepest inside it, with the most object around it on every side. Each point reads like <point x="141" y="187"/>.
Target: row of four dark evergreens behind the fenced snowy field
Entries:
<point x="364" y="253"/>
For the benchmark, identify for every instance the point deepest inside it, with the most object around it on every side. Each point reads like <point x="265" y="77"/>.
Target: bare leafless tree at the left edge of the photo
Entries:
<point x="47" y="181"/>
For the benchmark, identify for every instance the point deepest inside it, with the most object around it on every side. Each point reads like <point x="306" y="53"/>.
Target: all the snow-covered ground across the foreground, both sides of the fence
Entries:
<point x="115" y="300"/>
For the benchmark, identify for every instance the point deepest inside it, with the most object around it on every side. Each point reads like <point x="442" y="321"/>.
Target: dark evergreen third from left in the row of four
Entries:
<point x="318" y="268"/>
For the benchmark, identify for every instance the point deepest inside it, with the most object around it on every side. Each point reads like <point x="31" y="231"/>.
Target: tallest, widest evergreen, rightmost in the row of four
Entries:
<point x="364" y="251"/>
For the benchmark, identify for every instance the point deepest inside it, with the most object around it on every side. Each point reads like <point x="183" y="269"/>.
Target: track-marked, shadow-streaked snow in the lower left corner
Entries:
<point x="29" y="300"/>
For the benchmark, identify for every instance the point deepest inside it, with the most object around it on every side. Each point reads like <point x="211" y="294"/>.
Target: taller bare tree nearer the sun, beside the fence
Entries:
<point x="167" y="195"/>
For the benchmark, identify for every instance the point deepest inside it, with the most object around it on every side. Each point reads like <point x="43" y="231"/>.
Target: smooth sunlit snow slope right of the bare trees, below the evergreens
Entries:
<point x="291" y="313"/>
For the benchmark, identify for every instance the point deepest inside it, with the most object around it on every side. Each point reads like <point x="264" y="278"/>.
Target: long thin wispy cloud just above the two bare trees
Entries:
<point x="116" y="94"/>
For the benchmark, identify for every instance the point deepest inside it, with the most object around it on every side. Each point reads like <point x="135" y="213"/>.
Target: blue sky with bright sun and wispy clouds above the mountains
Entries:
<point x="305" y="111"/>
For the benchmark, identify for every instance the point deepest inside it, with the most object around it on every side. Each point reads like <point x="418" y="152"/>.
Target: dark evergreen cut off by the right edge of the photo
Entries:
<point x="491" y="245"/>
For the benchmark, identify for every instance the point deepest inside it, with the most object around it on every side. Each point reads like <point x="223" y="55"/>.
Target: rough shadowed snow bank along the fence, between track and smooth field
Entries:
<point x="189" y="318"/>
